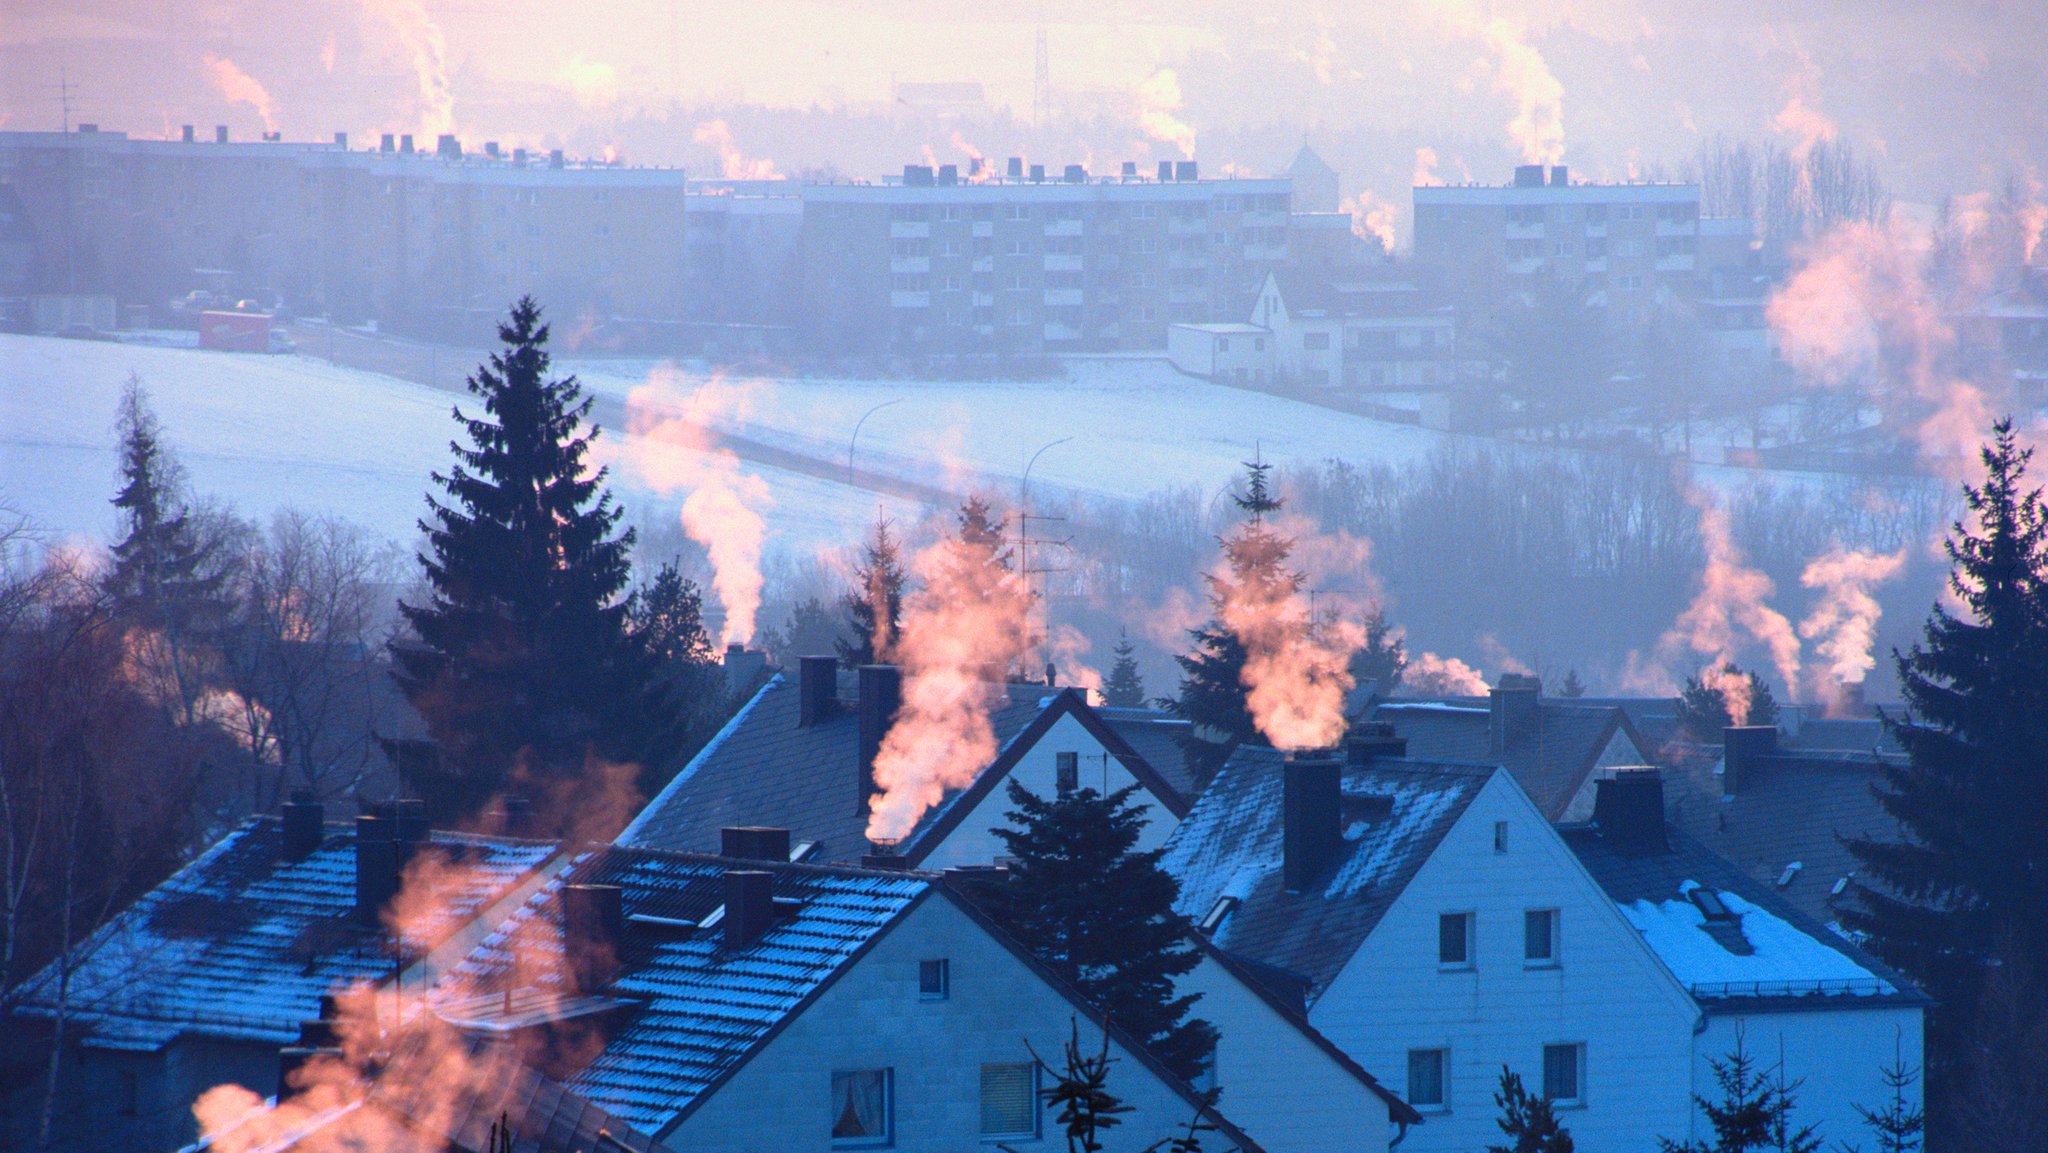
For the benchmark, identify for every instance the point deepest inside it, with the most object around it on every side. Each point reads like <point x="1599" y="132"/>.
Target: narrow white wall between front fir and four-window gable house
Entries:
<point x="1279" y="1086"/>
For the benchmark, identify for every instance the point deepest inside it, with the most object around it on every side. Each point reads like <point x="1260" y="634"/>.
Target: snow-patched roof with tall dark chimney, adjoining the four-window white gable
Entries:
<point x="1232" y="847"/>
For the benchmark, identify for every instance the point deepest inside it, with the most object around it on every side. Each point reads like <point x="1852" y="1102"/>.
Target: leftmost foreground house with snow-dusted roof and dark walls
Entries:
<point x="204" y="978"/>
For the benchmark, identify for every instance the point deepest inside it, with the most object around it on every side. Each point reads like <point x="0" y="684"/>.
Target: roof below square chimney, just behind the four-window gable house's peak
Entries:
<point x="1551" y="759"/>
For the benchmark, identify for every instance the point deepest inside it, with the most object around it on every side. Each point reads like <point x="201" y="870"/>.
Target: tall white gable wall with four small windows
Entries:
<point x="1609" y="992"/>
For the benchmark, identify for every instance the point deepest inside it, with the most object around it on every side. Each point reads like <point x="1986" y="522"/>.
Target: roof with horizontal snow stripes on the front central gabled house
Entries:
<point x="701" y="1009"/>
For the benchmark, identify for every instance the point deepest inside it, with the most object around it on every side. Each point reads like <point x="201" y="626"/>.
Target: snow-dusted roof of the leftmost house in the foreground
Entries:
<point x="245" y="929"/>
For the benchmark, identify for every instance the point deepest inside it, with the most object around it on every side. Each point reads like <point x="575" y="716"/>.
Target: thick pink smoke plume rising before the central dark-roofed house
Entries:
<point x="962" y="630"/>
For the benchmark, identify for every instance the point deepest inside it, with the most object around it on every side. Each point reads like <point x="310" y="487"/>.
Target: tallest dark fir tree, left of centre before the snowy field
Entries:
<point x="521" y="663"/>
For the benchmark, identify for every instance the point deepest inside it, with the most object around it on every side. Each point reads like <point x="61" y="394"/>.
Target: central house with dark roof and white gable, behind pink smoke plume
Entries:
<point x="802" y="757"/>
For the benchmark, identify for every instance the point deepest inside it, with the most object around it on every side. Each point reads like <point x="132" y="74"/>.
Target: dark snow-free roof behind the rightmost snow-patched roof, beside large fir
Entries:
<point x="1795" y="810"/>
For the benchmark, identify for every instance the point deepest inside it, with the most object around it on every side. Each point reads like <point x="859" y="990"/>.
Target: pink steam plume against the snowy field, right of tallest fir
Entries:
<point x="724" y="511"/>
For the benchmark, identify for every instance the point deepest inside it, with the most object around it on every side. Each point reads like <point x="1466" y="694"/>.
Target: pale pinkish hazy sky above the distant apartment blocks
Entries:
<point x="1943" y="91"/>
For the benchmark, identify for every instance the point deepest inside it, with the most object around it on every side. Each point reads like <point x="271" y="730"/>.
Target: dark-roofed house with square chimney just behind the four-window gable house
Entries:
<point x="1553" y="749"/>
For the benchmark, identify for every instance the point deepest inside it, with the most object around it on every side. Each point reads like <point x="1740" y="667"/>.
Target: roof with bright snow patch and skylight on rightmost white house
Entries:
<point x="1781" y="957"/>
